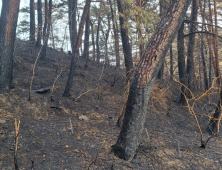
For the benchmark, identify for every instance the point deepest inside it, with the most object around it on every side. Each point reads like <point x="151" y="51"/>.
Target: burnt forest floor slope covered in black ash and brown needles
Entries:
<point x="77" y="132"/>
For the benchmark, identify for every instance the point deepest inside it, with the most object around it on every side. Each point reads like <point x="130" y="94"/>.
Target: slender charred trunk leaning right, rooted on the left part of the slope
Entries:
<point x="75" y="53"/>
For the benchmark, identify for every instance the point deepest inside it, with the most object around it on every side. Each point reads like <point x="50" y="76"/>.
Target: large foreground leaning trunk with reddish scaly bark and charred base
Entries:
<point x="144" y="76"/>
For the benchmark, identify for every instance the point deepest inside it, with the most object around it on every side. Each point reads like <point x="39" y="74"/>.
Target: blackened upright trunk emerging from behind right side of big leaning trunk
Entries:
<point x="181" y="63"/>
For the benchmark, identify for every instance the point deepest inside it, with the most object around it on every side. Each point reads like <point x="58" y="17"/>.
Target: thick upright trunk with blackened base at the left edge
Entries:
<point x="8" y="24"/>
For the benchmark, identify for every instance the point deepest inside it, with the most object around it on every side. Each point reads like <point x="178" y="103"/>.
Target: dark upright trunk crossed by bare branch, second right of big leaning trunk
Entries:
<point x="190" y="49"/>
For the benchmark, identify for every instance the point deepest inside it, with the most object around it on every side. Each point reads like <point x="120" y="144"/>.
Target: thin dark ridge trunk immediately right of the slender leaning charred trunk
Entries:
<point x="86" y="40"/>
